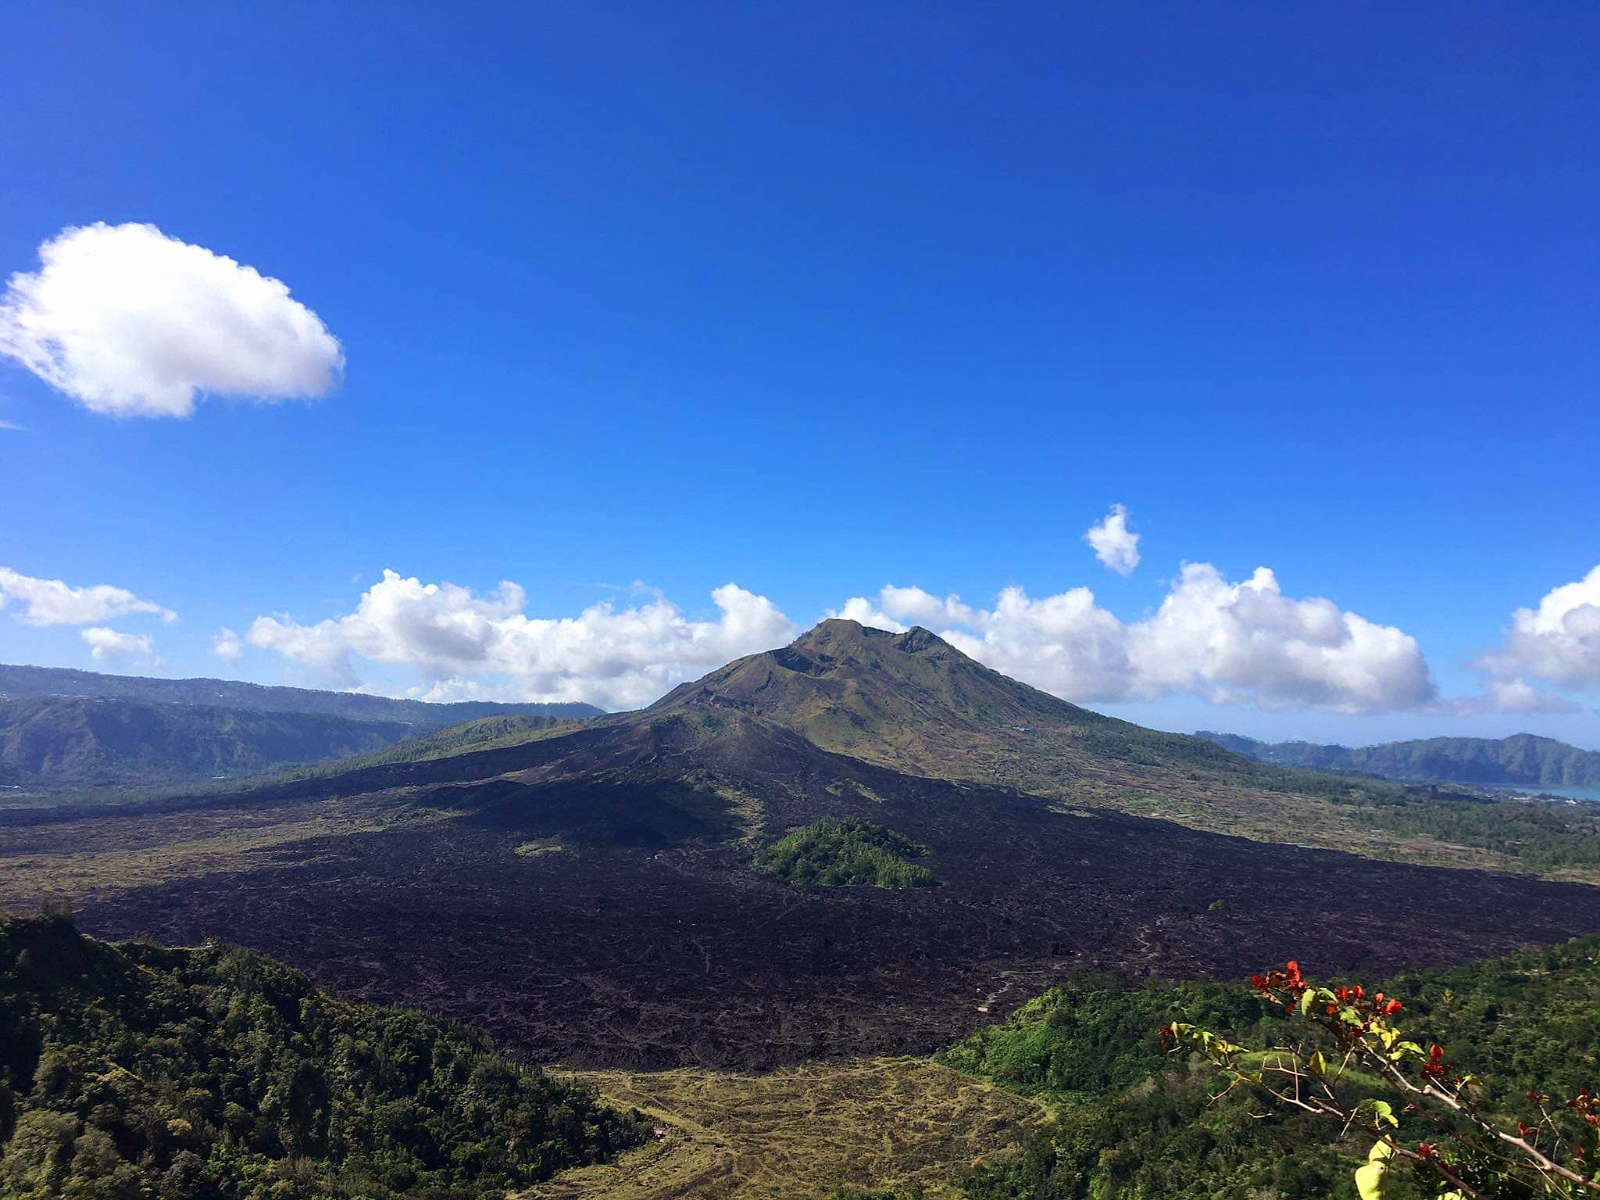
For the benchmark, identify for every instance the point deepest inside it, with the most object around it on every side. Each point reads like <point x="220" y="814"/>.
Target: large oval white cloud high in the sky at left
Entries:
<point x="132" y="322"/>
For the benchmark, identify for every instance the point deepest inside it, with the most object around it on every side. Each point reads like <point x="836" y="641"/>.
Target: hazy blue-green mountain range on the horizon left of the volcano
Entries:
<point x="76" y="729"/>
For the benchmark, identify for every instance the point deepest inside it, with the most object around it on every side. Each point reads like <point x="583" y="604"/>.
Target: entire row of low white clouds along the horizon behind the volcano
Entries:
<point x="1214" y="639"/>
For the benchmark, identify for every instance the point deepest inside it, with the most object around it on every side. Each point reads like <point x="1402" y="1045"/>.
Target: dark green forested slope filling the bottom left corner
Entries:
<point x="215" y="1074"/>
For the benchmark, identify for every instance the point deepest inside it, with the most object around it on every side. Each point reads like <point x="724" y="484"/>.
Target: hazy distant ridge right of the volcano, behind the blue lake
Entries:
<point x="1522" y="761"/>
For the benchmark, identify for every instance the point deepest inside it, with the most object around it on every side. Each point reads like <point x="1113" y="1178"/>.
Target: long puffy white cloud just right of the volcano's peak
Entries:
<point x="1220" y="641"/>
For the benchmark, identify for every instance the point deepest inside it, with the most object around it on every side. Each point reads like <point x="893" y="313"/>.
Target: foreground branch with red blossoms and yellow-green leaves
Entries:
<point x="1348" y="1062"/>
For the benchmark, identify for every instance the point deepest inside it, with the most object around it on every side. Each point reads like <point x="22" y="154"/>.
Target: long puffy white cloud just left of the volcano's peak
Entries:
<point x="607" y="655"/>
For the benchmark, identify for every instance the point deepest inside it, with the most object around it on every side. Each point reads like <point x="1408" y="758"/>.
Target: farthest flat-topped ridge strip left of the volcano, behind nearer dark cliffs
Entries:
<point x="233" y="695"/>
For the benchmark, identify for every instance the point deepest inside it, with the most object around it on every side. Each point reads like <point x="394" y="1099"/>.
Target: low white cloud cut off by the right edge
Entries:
<point x="1558" y="642"/>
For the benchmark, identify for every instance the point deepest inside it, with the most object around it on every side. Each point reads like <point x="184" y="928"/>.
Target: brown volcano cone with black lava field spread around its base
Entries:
<point x="591" y="897"/>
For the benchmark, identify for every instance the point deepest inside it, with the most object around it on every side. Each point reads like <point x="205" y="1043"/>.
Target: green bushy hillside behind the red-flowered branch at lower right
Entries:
<point x="1137" y="1124"/>
